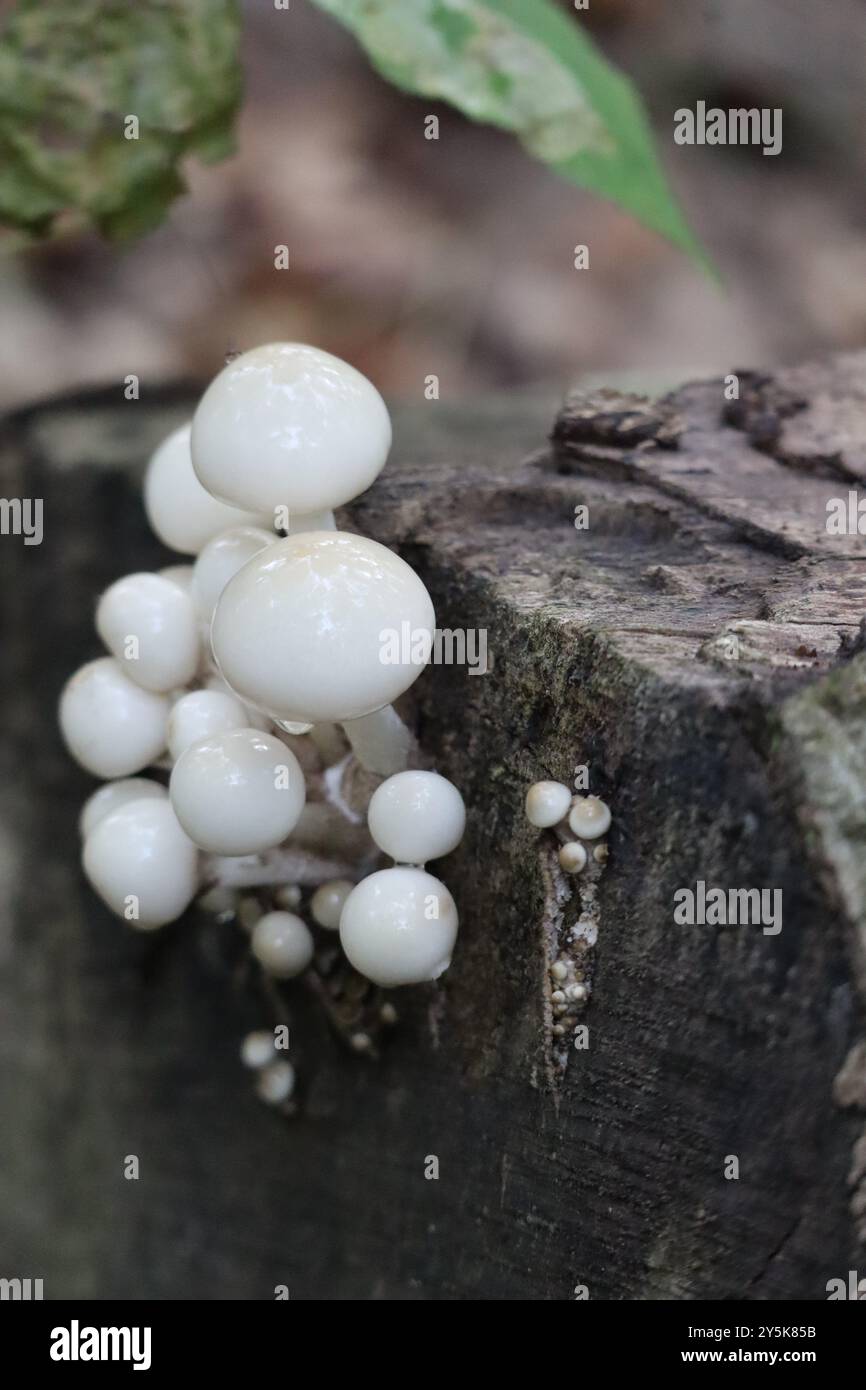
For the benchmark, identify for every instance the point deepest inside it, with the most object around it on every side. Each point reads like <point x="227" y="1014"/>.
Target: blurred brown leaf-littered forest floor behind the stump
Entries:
<point x="414" y="256"/>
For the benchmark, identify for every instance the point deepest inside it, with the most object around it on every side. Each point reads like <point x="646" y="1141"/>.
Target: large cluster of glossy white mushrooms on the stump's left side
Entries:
<point x="245" y="690"/>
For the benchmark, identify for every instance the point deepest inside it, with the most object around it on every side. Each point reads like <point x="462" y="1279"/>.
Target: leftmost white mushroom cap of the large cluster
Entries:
<point x="112" y="726"/>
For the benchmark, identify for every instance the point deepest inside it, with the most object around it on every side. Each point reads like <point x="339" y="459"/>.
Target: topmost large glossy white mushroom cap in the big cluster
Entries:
<point x="290" y="426"/>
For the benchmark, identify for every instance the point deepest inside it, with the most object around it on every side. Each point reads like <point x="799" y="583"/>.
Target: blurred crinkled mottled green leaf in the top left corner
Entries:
<point x="73" y="72"/>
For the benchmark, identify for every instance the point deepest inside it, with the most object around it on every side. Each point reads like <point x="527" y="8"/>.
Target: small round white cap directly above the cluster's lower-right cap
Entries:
<point x="416" y="817"/>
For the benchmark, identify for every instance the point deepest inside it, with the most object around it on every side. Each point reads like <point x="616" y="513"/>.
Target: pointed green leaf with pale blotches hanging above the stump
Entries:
<point x="526" y="67"/>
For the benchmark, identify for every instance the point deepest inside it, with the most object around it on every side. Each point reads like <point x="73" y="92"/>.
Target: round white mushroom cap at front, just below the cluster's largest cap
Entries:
<point x="238" y="793"/>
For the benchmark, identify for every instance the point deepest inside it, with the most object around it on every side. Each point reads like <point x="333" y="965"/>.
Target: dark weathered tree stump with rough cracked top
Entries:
<point x="700" y="648"/>
